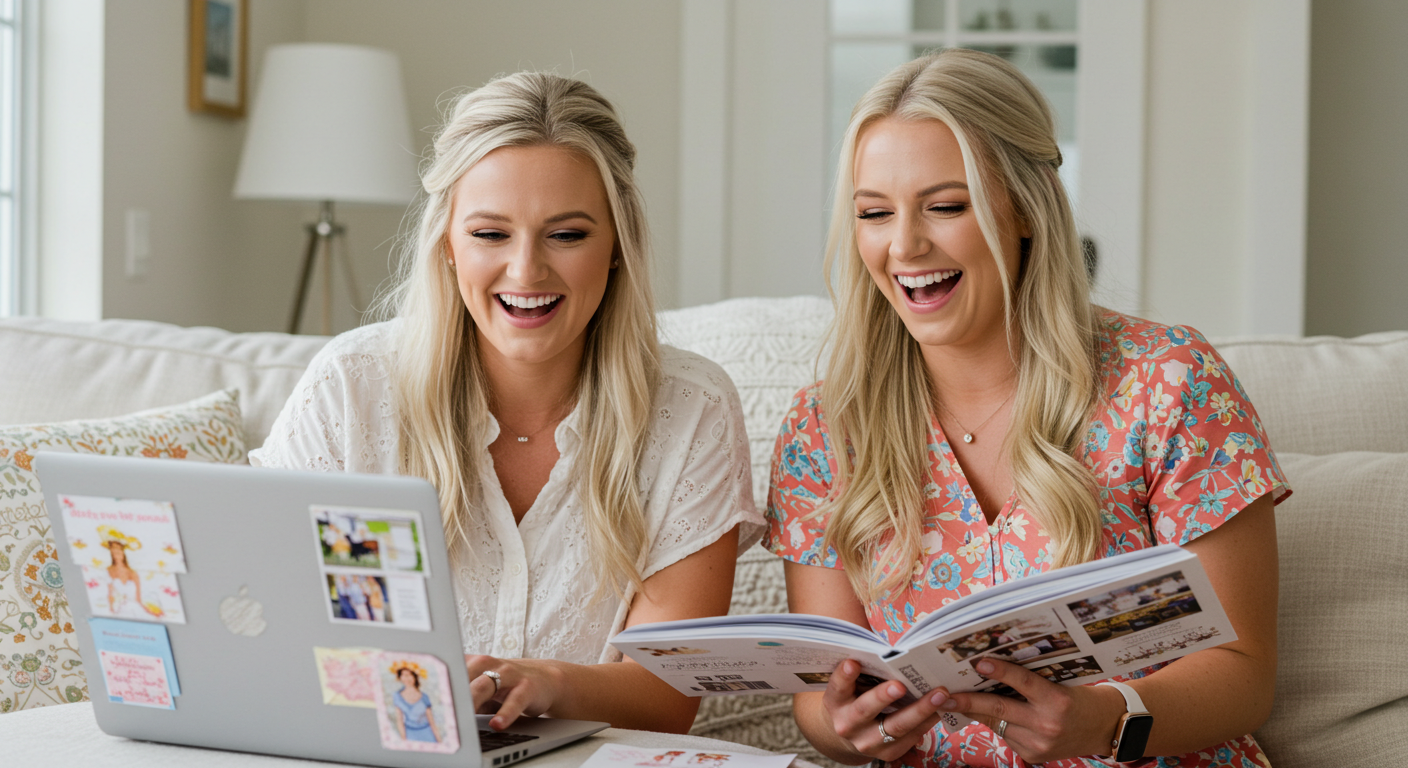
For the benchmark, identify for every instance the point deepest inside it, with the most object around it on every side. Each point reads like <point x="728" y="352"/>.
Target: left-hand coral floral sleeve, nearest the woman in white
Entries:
<point x="802" y="476"/>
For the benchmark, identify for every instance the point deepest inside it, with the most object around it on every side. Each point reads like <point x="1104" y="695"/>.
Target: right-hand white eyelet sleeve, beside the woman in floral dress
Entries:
<point x="713" y="491"/>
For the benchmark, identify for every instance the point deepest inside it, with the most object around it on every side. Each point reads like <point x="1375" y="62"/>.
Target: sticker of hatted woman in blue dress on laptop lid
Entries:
<point x="415" y="710"/>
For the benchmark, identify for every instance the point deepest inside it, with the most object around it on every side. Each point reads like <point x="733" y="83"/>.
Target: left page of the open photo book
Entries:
<point x="760" y="664"/>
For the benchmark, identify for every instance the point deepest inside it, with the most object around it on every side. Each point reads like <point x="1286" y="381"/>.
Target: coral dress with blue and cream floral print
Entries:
<point x="1176" y="450"/>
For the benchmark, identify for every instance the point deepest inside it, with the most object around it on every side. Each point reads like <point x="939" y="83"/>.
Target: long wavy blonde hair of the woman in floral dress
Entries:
<point x="878" y="397"/>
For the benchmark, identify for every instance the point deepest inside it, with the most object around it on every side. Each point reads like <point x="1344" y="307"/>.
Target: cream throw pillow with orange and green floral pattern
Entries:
<point x="40" y="662"/>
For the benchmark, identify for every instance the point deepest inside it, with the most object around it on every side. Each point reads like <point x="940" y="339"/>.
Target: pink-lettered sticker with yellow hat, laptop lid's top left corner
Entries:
<point x="129" y="535"/>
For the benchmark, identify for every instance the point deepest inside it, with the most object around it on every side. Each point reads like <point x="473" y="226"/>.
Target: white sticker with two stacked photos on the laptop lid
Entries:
<point x="374" y="567"/>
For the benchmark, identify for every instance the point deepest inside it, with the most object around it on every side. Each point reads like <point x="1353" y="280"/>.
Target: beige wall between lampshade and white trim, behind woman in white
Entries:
<point x="629" y="50"/>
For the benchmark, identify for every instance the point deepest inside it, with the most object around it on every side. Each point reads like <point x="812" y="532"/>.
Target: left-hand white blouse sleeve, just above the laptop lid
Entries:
<point x="340" y="418"/>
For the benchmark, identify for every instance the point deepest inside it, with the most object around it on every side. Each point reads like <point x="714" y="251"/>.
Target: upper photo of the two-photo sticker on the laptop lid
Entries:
<point x="379" y="540"/>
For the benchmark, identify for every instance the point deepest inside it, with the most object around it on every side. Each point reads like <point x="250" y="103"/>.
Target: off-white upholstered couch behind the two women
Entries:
<point x="1337" y="412"/>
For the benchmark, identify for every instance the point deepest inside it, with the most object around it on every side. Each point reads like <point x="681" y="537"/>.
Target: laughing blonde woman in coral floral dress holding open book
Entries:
<point x="982" y="422"/>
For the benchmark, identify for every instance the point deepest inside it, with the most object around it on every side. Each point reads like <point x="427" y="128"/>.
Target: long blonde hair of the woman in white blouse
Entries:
<point x="441" y="390"/>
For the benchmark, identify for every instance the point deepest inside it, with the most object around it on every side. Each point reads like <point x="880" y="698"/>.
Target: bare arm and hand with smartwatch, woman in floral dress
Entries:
<point x="1199" y="701"/>
